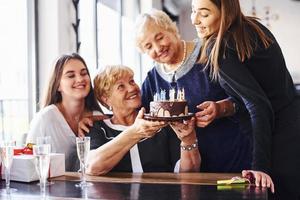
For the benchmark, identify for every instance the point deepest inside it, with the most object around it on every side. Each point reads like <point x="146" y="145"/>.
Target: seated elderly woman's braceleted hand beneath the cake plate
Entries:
<point x="185" y="131"/>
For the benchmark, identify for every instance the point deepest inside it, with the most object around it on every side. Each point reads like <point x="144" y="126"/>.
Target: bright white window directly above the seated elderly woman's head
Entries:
<point x="115" y="28"/>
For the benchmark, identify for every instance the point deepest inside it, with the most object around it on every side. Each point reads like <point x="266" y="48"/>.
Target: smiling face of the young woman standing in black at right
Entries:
<point x="206" y="17"/>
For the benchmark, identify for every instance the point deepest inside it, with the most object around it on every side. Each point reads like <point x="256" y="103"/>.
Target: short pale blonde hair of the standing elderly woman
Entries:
<point x="159" y="18"/>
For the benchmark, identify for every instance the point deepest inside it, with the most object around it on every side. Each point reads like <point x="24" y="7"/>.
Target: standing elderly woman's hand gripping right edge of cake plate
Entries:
<point x="208" y="112"/>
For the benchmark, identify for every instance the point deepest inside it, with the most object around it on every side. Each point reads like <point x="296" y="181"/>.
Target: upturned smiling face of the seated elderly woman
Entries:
<point x="125" y="94"/>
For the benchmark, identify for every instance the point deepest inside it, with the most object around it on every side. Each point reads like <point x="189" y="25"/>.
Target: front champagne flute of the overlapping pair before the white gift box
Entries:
<point x="42" y="163"/>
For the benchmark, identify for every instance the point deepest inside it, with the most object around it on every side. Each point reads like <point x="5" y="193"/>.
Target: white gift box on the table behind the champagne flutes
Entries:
<point x="23" y="167"/>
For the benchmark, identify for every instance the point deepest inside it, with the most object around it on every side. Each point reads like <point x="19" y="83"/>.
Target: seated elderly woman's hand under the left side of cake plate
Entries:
<point x="144" y="128"/>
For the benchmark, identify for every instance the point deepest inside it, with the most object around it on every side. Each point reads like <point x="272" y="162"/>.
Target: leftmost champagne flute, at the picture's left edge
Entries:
<point x="6" y="154"/>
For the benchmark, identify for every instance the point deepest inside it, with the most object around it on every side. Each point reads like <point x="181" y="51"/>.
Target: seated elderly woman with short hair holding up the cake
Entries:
<point x="127" y="142"/>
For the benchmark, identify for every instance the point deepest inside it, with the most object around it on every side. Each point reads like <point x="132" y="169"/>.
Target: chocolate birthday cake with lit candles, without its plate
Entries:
<point x="173" y="107"/>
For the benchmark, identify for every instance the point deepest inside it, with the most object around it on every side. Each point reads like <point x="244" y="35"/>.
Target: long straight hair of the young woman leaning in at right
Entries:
<point x="233" y="23"/>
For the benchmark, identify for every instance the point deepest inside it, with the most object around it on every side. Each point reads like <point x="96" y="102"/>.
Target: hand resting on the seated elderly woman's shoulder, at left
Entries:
<point x="86" y="123"/>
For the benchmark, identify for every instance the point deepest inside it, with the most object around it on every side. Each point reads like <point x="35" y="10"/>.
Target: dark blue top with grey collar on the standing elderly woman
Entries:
<point x="223" y="147"/>
